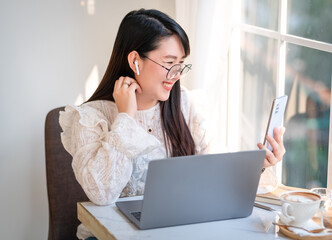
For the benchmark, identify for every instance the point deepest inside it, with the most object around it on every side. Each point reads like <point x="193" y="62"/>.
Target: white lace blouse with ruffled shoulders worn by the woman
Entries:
<point x="111" y="150"/>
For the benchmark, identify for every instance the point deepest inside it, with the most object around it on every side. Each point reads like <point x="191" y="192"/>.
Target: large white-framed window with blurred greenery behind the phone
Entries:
<point x="284" y="47"/>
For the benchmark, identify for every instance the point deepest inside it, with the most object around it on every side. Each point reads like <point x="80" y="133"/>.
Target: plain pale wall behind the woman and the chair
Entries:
<point x="48" y="51"/>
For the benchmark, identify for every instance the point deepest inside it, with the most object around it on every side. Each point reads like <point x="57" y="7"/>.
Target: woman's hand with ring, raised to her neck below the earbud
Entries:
<point x="124" y="94"/>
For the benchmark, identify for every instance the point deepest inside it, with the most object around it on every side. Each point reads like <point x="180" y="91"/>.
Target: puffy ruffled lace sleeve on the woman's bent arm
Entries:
<point x="102" y="154"/>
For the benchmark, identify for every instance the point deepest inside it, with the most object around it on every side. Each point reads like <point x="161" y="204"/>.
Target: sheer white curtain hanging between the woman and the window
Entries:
<point x="208" y="24"/>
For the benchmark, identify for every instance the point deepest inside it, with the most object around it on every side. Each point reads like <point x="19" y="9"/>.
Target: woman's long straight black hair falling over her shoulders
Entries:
<point x="142" y="31"/>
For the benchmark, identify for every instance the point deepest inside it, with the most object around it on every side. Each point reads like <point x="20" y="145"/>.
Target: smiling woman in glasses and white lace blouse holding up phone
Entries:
<point x="139" y="112"/>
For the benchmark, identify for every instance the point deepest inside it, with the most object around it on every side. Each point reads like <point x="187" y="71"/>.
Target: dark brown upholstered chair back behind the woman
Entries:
<point x="62" y="187"/>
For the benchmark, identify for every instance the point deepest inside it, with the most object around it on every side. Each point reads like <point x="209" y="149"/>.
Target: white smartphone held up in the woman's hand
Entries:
<point x="276" y="117"/>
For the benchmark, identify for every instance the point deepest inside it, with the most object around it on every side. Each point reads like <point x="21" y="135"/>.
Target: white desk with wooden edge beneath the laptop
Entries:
<point x="107" y="222"/>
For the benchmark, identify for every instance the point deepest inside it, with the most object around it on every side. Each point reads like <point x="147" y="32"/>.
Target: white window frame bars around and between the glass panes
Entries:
<point x="234" y="96"/>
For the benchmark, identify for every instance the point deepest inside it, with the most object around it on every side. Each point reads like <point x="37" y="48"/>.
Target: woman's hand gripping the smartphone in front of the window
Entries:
<point x="277" y="144"/>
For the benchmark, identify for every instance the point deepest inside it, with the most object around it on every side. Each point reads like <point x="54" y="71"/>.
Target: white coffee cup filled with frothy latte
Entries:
<point x="298" y="207"/>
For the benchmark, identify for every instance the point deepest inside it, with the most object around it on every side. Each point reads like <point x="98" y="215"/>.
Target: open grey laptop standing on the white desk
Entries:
<point x="195" y="189"/>
